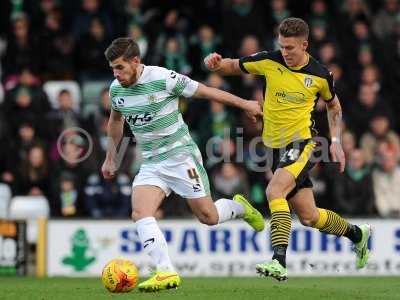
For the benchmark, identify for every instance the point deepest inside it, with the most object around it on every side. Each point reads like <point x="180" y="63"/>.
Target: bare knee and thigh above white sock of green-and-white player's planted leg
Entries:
<point x="146" y="199"/>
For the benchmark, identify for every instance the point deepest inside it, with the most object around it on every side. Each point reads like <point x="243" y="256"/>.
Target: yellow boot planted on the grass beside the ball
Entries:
<point x="160" y="281"/>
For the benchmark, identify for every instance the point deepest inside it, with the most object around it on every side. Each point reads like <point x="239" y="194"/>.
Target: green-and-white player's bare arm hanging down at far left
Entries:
<point x="114" y="133"/>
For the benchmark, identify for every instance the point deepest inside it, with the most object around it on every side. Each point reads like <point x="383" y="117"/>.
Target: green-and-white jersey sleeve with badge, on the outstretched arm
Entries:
<point x="180" y="85"/>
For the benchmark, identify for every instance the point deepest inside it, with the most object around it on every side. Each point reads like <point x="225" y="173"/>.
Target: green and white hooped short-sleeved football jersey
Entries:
<point x="150" y="107"/>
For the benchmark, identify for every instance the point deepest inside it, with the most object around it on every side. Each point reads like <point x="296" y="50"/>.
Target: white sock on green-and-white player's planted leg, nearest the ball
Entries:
<point x="154" y="243"/>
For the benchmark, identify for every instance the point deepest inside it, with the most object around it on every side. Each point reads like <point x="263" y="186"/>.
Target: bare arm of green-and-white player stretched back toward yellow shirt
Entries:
<point x="252" y="108"/>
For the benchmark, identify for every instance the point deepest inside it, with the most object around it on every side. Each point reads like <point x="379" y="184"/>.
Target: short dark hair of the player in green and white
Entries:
<point x="125" y="47"/>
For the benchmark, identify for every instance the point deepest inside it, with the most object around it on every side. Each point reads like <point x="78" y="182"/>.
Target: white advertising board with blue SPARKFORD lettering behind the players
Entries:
<point x="82" y="248"/>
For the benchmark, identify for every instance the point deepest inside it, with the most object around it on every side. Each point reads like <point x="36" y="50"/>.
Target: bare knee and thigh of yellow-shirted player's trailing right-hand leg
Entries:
<point x="303" y="204"/>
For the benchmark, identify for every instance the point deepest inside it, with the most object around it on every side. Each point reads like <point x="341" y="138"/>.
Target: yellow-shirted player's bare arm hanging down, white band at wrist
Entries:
<point x="334" y="111"/>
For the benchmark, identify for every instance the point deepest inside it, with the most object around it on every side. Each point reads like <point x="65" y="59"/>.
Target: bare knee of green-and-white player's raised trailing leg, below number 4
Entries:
<point x="204" y="209"/>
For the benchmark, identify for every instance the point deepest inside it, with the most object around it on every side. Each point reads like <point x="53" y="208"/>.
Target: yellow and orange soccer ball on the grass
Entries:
<point x="120" y="276"/>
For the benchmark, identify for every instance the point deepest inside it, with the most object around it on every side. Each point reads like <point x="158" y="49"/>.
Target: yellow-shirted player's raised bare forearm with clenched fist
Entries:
<point x="224" y="66"/>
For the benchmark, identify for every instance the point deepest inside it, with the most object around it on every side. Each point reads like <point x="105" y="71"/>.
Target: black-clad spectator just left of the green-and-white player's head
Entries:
<point x="91" y="63"/>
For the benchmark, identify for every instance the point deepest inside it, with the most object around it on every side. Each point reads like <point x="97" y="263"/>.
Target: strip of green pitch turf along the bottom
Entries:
<point x="351" y="288"/>
